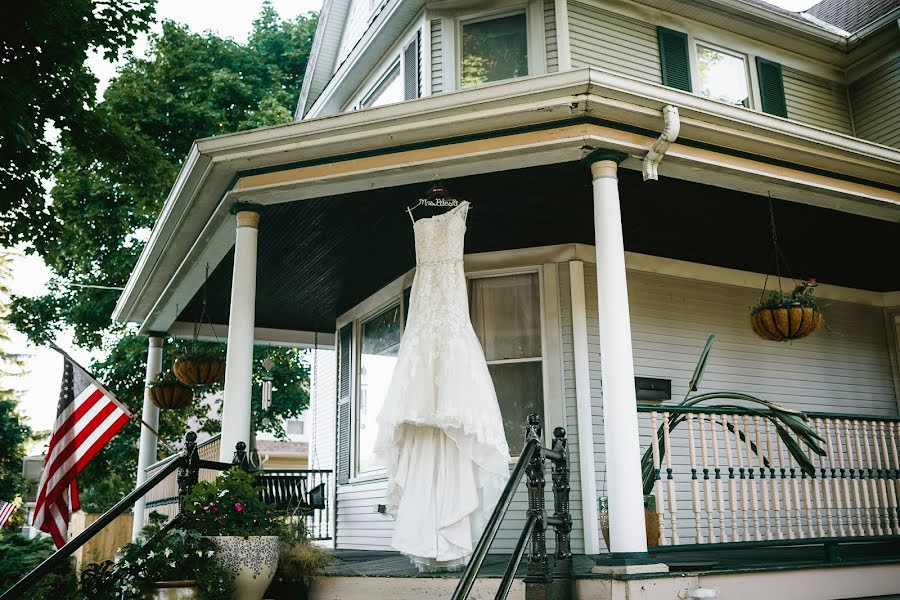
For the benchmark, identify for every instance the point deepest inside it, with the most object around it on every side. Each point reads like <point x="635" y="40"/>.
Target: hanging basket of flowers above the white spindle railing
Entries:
<point x="781" y="316"/>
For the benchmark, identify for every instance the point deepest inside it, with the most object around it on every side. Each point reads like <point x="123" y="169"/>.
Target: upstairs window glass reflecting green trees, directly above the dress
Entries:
<point x="494" y="49"/>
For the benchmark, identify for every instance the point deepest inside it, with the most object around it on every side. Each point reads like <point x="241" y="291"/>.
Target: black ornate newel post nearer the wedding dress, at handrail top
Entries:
<point x="538" y="578"/>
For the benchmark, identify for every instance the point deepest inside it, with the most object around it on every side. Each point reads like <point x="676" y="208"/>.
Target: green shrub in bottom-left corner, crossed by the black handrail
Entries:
<point x="19" y="555"/>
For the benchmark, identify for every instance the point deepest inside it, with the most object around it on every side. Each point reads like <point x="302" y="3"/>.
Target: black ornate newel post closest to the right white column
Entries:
<point x="563" y="583"/>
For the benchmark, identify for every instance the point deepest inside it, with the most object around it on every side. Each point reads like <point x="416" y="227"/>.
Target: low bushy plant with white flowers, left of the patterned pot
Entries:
<point x="177" y="565"/>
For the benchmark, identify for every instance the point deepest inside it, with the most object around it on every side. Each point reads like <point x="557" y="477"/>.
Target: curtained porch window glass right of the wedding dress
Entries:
<point x="506" y="316"/>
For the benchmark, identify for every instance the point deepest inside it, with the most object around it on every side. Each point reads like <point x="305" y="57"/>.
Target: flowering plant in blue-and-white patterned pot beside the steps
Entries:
<point x="244" y="532"/>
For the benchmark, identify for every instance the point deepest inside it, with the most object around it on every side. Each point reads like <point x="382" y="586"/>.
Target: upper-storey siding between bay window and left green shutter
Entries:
<point x="609" y="41"/>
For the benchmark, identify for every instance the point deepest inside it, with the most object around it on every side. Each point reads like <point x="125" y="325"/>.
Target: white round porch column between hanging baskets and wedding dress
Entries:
<point x="239" y="358"/>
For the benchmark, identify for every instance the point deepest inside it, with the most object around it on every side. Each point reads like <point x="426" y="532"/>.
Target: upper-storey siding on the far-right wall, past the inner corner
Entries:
<point x="875" y="100"/>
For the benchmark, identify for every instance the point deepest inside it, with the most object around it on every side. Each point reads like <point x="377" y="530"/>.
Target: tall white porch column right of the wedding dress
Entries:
<point x="620" y="420"/>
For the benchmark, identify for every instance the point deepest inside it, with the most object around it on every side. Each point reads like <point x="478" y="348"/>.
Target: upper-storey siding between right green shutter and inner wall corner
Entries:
<point x="816" y="101"/>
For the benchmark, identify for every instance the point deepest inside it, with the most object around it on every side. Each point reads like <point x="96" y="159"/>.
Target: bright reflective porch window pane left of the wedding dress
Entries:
<point x="380" y="342"/>
